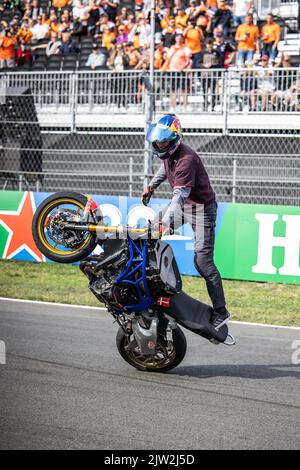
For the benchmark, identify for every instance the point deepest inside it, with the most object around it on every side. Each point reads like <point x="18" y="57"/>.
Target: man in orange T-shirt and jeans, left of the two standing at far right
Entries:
<point x="247" y="38"/>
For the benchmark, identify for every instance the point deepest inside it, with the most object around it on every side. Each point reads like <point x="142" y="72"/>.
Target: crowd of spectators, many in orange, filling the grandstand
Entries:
<point x="188" y="33"/>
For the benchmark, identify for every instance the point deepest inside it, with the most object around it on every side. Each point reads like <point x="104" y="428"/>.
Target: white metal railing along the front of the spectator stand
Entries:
<point x="252" y="89"/>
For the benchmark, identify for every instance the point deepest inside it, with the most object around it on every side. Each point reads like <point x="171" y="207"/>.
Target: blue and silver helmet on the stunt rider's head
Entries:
<point x="166" y="129"/>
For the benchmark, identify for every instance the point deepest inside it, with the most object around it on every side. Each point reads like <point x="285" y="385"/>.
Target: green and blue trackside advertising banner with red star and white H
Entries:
<point x="253" y="242"/>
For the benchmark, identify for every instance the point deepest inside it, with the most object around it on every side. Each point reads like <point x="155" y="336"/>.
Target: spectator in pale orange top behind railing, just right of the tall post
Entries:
<point x="179" y="60"/>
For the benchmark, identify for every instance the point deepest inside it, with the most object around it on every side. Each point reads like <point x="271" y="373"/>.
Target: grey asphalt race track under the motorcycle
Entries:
<point x="66" y="387"/>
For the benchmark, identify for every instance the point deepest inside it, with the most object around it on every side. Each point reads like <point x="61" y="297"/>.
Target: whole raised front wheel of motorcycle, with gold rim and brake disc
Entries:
<point x="64" y="246"/>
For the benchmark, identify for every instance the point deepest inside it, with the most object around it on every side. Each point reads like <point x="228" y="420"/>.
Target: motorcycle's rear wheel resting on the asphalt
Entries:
<point x="167" y="356"/>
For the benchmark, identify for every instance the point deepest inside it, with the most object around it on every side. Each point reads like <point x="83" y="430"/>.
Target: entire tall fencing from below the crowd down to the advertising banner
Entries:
<point x="85" y="132"/>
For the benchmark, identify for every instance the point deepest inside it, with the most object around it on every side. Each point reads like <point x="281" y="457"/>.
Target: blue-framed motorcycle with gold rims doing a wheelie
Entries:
<point x="136" y="277"/>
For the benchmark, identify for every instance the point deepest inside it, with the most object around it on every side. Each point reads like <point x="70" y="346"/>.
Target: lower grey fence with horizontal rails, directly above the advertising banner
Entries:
<point x="249" y="169"/>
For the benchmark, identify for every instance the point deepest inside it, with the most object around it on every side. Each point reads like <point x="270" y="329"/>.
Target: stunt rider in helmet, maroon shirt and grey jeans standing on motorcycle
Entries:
<point x="193" y="201"/>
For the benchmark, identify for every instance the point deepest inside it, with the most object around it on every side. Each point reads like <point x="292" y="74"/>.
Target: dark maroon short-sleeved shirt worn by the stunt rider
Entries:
<point x="185" y="168"/>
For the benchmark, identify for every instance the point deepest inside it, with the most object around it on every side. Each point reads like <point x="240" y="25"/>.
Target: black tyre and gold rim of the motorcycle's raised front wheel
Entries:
<point x="45" y="244"/>
